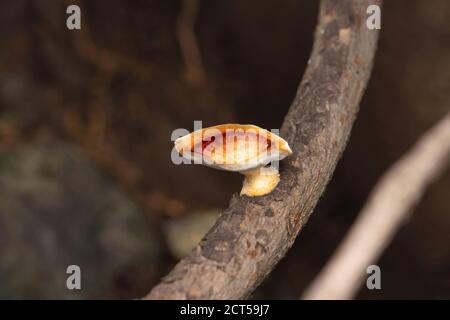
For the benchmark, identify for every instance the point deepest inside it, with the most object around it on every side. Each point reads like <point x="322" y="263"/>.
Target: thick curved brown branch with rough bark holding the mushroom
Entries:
<point x="253" y="234"/>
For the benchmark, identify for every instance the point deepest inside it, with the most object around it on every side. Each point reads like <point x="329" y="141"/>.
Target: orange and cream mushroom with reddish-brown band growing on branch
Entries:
<point x="247" y="149"/>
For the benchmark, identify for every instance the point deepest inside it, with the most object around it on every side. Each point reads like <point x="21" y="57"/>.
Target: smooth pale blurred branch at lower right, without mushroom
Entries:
<point x="388" y="206"/>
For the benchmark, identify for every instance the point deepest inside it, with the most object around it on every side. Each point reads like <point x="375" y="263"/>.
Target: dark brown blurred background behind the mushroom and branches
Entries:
<point x="86" y="118"/>
